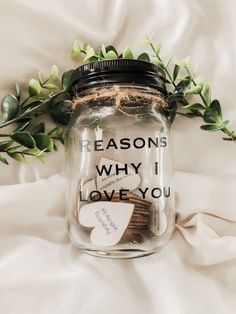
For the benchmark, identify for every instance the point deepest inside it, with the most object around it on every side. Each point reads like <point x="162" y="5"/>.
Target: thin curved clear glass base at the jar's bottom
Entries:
<point x="119" y="254"/>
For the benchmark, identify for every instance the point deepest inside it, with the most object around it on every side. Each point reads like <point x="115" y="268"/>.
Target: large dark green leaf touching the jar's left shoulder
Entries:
<point x="61" y="112"/>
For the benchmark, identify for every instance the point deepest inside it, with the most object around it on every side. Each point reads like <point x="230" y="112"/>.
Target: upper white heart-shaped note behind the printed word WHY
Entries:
<point x="114" y="175"/>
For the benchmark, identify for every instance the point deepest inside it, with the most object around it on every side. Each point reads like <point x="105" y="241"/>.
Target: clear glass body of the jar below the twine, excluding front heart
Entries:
<point x="107" y="136"/>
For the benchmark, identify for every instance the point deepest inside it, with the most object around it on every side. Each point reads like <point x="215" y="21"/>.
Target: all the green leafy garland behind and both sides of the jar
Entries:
<point x="188" y="96"/>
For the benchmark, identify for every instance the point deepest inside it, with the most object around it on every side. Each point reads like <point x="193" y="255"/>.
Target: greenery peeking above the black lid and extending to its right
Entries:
<point x="180" y="81"/>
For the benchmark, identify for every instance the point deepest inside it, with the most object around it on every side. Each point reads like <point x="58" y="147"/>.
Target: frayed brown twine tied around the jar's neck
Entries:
<point x="119" y="95"/>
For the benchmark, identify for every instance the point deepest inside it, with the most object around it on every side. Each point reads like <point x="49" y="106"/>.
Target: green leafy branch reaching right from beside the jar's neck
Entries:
<point x="209" y="110"/>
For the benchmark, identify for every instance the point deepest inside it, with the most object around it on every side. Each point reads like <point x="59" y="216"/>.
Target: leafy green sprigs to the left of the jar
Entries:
<point x="44" y="97"/>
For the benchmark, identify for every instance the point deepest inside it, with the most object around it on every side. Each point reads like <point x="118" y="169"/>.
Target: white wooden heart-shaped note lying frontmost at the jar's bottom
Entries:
<point x="109" y="221"/>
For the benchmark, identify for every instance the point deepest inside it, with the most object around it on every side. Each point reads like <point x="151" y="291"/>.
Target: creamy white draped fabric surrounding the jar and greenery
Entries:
<point x="40" y="271"/>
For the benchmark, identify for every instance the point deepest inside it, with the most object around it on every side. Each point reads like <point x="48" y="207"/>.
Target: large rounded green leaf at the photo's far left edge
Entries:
<point x="10" y="107"/>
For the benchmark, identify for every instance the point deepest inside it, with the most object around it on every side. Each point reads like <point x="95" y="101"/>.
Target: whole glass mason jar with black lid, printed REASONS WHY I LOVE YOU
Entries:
<point x="119" y="160"/>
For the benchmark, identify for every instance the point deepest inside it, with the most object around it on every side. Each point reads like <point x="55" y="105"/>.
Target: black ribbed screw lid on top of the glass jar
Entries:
<point x="107" y="72"/>
